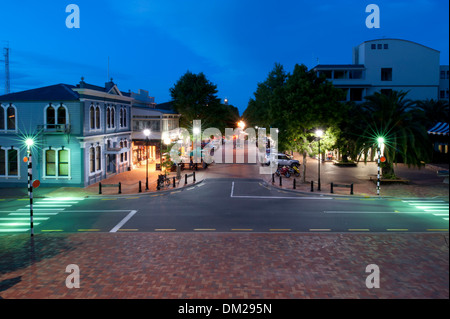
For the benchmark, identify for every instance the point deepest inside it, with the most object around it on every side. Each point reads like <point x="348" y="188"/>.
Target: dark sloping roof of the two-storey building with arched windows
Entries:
<point x="57" y="92"/>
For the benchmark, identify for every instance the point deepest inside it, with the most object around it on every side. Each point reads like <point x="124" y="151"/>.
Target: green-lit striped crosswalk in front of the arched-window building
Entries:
<point x="18" y="221"/>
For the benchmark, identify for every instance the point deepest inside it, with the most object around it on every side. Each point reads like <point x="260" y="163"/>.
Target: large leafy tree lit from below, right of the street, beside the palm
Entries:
<point x="305" y="103"/>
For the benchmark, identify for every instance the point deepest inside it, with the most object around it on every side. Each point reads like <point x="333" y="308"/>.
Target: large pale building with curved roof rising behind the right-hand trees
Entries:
<point x="384" y="65"/>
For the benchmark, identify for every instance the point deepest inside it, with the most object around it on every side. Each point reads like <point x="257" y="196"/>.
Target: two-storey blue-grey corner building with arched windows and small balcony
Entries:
<point x="82" y="134"/>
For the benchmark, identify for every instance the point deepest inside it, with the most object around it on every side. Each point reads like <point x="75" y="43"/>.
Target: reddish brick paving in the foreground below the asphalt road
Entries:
<point x="222" y="265"/>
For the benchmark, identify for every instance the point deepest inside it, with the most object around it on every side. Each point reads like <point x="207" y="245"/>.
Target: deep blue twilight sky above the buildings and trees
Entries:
<point x="152" y="43"/>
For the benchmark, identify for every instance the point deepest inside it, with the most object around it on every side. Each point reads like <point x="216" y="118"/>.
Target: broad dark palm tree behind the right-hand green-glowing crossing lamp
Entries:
<point x="393" y="118"/>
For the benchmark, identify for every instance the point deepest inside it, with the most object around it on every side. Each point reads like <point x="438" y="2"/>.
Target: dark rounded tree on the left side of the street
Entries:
<point x="194" y="97"/>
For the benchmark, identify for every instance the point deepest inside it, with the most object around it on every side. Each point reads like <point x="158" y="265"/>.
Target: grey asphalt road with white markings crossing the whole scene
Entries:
<point x="226" y="205"/>
